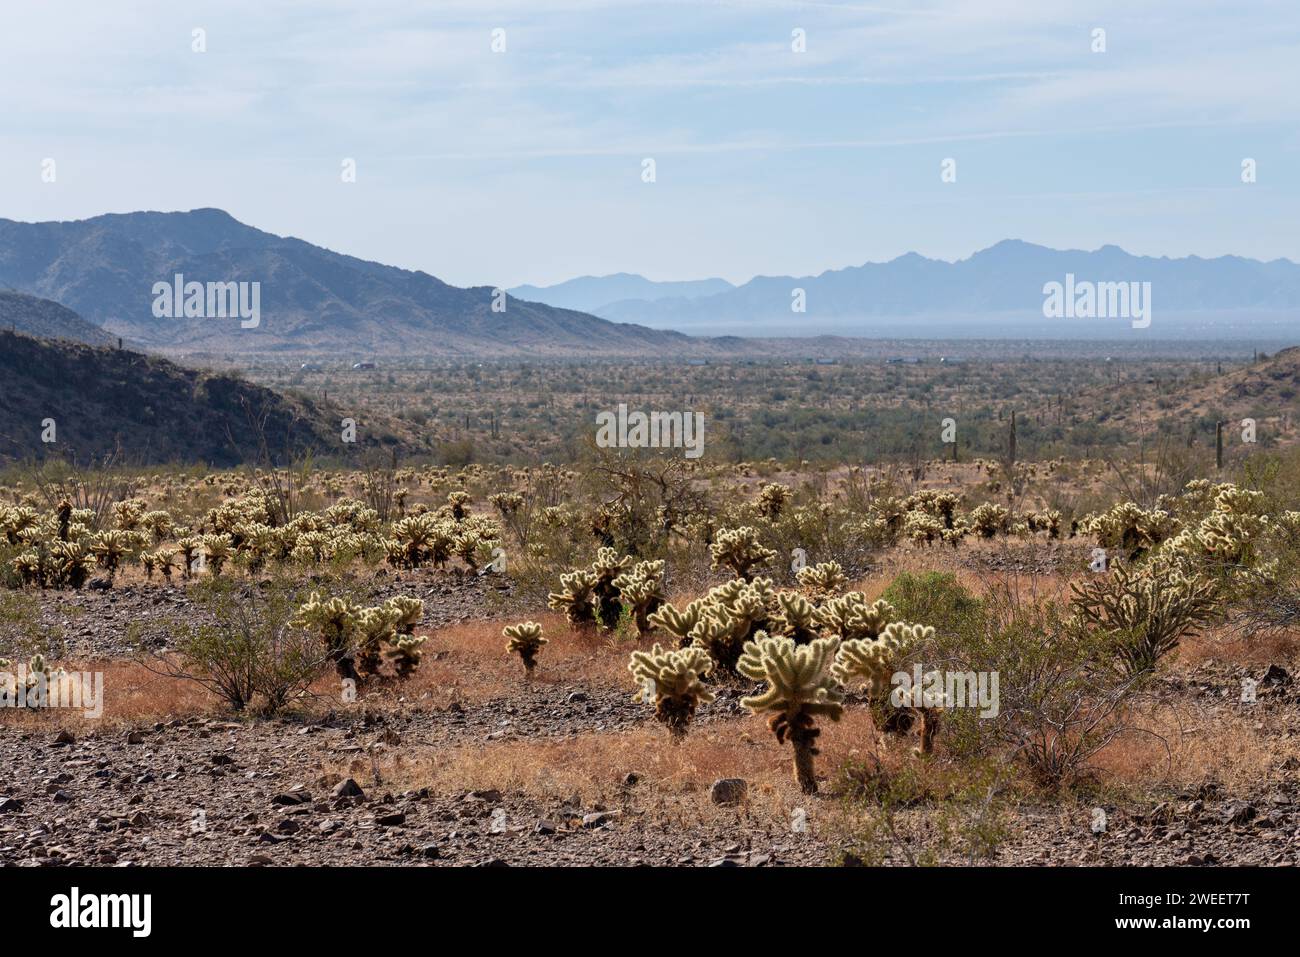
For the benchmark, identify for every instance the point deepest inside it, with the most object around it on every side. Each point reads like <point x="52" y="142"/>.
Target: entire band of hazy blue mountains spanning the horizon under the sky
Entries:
<point x="311" y="300"/>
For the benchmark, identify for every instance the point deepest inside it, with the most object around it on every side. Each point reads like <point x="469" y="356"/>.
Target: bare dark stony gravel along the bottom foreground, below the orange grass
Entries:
<point x="214" y="791"/>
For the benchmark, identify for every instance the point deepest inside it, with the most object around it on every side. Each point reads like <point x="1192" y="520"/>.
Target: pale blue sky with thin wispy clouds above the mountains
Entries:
<point x="526" y="167"/>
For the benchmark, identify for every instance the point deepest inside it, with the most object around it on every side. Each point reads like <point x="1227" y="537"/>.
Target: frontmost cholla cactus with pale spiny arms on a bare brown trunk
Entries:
<point x="800" y="690"/>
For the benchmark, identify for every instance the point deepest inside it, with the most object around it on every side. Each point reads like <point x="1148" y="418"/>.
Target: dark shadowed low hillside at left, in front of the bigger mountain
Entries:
<point x="157" y="412"/>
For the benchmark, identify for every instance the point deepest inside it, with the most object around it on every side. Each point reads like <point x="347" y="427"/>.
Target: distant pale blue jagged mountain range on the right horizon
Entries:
<point x="976" y="296"/>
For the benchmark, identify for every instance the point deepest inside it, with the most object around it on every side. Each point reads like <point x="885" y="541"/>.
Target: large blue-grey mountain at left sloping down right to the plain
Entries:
<point x="311" y="300"/>
